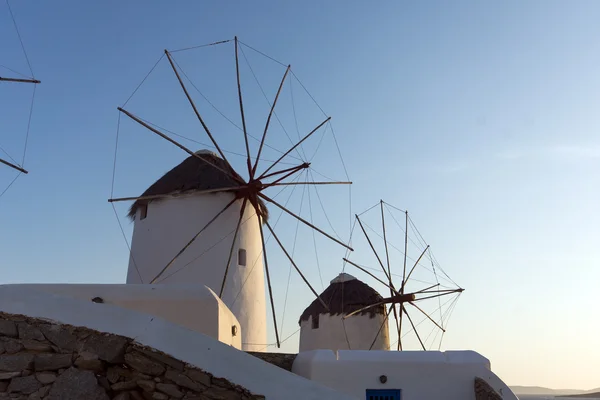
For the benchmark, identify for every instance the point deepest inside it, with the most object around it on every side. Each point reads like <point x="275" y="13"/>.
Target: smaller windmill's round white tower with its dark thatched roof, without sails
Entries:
<point x="322" y="329"/>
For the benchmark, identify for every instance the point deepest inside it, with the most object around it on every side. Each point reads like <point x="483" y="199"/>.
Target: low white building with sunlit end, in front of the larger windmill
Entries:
<point x="195" y="307"/>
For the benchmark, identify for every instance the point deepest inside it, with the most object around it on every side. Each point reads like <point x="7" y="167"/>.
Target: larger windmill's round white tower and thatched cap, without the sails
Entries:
<point x="163" y="227"/>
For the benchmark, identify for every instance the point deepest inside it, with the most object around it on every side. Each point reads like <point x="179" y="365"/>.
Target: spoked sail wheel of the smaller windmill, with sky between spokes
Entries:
<point x="412" y="293"/>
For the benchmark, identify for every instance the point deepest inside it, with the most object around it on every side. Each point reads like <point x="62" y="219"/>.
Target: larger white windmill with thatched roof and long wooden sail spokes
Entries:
<point x="203" y="222"/>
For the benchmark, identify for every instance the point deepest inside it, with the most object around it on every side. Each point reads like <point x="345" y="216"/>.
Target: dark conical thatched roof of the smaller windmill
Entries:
<point x="344" y="295"/>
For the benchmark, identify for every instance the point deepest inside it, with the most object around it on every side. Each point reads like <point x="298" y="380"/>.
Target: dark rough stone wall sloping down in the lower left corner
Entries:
<point x="44" y="360"/>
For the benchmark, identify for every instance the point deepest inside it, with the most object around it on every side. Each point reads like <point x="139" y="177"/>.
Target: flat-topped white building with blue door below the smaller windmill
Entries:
<point x="418" y="374"/>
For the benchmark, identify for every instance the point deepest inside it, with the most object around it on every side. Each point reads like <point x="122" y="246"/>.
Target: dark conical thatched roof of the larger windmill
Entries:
<point x="193" y="175"/>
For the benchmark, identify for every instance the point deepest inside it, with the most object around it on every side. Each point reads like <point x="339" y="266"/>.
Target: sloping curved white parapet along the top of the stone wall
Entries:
<point x="184" y="344"/>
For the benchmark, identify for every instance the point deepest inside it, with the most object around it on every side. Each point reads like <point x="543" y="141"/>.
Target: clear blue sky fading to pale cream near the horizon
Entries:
<point x="479" y="118"/>
